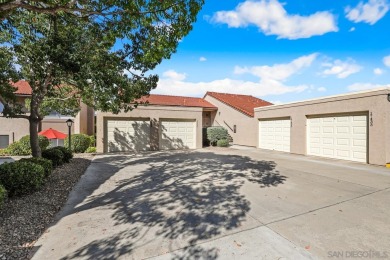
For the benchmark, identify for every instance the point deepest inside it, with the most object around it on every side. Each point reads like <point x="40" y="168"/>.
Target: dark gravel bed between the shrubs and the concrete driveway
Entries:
<point x="22" y="220"/>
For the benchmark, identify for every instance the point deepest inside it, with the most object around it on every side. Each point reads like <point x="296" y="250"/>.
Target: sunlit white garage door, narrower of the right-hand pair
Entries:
<point x="275" y="134"/>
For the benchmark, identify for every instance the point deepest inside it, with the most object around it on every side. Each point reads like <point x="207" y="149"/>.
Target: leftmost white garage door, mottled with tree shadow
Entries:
<point x="128" y="135"/>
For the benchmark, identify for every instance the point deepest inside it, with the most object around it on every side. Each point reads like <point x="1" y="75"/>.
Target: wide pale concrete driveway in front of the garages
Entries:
<point x="222" y="203"/>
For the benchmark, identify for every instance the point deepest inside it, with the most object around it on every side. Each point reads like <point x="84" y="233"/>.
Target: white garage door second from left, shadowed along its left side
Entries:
<point x="177" y="134"/>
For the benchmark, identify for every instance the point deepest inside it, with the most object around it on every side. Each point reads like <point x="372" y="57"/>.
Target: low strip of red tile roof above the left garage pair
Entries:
<point x="165" y="100"/>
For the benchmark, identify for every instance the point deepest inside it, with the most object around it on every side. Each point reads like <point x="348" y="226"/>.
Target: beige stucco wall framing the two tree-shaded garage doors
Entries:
<point x="154" y="113"/>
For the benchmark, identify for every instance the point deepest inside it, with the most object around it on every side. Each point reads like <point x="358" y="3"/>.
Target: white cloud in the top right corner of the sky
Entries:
<point x="369" y="12"/>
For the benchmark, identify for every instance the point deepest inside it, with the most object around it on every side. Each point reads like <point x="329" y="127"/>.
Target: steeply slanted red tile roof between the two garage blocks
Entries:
<point x="243" y="103"/>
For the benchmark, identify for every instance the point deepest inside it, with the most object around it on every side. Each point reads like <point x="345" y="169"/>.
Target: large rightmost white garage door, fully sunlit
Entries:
<point x="339" y="137"/>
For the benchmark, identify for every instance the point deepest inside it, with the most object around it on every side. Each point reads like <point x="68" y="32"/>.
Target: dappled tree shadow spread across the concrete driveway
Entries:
<point x="187" y="197"/>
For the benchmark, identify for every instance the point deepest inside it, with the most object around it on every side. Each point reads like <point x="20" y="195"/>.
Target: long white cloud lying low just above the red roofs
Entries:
<point x="271" y="81"/>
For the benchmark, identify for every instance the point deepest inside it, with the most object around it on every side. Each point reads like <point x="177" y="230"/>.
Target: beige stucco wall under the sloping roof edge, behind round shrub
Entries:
<point x="226" y="116"/>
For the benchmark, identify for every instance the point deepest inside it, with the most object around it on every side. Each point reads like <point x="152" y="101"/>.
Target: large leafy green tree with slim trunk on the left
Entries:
<point x="100" y="55"/>
